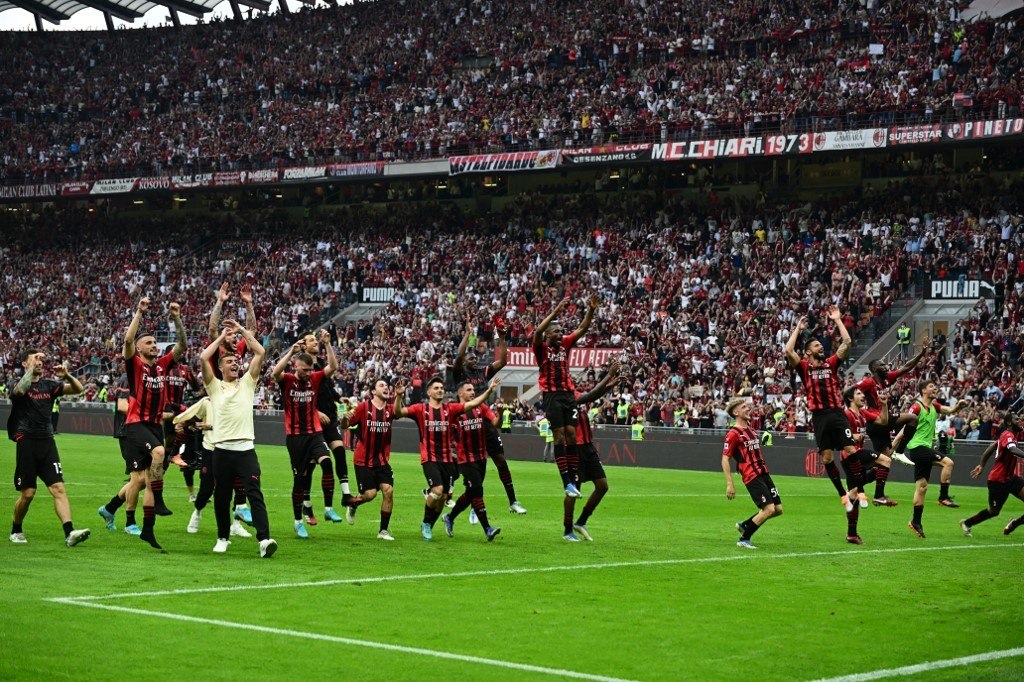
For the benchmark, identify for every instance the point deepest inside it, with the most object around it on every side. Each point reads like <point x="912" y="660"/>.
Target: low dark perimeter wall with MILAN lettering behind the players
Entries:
<point x="663" y="449"/>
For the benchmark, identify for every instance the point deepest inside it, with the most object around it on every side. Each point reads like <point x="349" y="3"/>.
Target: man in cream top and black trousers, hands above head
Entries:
<point x="234" y="437"/>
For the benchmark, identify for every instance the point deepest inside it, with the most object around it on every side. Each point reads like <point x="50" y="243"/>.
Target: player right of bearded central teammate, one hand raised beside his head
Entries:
<point x="472" y="445"/>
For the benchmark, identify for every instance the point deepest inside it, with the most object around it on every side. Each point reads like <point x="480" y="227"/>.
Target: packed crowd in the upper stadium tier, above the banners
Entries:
<point x="423" y="79"/>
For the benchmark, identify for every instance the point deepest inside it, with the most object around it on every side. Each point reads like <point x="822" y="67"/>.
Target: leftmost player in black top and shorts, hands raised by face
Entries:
<point x="31" y="429"/>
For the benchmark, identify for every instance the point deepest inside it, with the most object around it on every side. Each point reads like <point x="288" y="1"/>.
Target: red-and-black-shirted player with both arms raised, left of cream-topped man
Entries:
<point x="147" y="371"/>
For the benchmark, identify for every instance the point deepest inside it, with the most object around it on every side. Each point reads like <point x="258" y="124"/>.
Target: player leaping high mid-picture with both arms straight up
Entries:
<point x="552" y="354"/>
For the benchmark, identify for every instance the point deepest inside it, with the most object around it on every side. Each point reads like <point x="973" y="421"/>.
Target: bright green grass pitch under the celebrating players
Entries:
<point x="662" y="594"/>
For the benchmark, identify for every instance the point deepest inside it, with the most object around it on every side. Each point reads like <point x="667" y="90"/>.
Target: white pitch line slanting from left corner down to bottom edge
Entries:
<point x="508" y="665"/>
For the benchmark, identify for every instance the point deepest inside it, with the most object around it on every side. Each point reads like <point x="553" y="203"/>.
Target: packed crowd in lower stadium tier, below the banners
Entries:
<point x="701" y="299"/>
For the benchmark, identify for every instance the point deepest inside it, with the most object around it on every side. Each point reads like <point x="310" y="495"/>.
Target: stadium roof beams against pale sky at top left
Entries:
<point x="56" y="12"/>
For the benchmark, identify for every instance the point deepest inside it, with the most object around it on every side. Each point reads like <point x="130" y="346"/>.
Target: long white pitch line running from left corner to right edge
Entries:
<point x="535" y="570"/>
